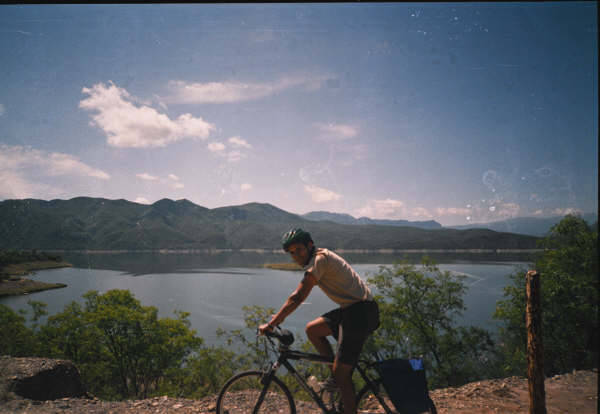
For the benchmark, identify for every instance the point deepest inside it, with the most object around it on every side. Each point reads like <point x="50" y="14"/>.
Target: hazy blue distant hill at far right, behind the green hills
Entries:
<point x="533" y="226"/>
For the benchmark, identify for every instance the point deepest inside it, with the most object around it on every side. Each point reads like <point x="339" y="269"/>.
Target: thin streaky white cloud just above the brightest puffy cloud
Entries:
<point x="229" y="92"/>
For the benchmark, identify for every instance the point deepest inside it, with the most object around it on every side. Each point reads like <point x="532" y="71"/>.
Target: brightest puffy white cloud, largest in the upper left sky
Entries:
<point x="127" y="124"/>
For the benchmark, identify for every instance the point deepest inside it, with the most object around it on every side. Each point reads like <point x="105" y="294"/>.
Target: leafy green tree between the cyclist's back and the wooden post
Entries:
<point x="418" y="311"/>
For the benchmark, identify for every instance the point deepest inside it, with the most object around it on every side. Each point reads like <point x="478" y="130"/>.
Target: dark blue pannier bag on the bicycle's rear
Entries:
<point x="405" y="383"/>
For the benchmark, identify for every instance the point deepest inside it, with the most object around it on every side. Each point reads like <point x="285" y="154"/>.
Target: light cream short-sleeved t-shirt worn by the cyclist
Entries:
<point x="337" y="279"/>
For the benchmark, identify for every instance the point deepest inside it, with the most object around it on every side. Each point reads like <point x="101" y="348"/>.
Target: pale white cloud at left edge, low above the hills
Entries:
<point x="21" y="167"/>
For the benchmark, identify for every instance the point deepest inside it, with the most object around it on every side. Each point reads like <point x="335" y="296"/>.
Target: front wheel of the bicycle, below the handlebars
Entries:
<point x="241" y="392"/>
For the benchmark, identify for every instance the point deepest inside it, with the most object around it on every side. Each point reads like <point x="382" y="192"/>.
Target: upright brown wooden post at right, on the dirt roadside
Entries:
<point x="535" y="348"/>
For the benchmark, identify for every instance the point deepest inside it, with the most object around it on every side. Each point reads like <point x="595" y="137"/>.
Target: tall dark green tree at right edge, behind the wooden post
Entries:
<point x="569" y="295"/>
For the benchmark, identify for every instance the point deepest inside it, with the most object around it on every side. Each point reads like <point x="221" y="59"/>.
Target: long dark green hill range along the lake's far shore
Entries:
<point x="97" y="223"/>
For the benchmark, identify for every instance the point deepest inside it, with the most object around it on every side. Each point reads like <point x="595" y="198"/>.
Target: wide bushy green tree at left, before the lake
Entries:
<point x="121" y="347"/>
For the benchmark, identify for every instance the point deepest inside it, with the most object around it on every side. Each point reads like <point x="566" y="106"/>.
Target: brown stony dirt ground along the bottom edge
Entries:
<point x="575" y="392"/>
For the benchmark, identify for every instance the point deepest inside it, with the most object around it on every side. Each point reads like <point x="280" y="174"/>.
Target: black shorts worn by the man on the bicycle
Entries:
<point x="351" y="326"/>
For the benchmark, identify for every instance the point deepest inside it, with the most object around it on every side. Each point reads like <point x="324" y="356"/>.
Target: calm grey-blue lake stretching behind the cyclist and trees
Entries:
<point x="213" y="288"/>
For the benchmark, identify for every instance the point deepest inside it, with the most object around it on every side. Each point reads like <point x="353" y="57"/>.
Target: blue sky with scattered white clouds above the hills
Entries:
<point x="455" y="112"/>
